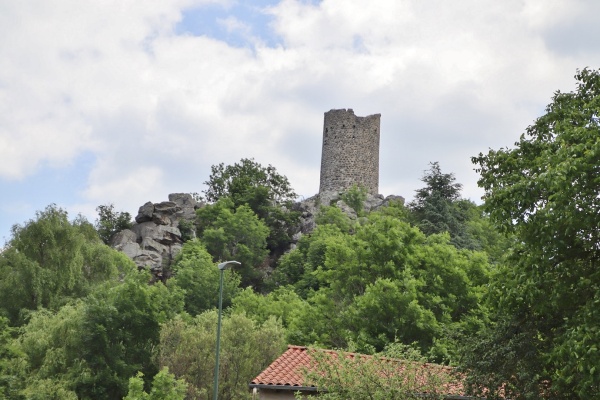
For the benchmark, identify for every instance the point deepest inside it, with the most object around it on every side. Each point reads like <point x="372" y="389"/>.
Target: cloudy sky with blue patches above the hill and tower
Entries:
<point x="123" y="101"/>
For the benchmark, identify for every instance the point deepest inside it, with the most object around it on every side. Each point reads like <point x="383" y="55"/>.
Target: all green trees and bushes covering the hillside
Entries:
<point x="508" y="291"/>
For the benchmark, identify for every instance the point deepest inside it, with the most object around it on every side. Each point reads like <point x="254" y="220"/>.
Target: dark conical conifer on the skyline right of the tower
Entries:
<point x="438" y="207"/>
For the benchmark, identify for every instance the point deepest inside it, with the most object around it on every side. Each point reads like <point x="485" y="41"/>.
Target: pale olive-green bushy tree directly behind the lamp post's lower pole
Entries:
<point x="187" y="347"/>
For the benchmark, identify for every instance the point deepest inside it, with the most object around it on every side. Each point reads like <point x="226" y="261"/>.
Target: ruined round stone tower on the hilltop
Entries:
<point x="350" y="151"/>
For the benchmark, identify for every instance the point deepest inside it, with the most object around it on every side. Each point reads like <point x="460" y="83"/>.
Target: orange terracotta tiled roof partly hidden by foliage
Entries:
<point x="287" y="371"/>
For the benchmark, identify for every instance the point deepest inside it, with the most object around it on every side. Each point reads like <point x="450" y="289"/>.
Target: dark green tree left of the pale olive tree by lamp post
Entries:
<point x="120" y="330"/>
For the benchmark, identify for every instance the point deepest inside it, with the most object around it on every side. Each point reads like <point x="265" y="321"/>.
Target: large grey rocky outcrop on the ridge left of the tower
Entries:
<point x="155" y="238"/>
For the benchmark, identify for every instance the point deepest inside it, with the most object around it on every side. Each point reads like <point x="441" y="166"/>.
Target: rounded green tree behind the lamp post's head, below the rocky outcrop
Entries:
<point x="198" y="277"/>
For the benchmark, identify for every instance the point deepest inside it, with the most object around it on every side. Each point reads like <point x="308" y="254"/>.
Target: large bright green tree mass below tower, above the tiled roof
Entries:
<point x="386" y="281"/>
